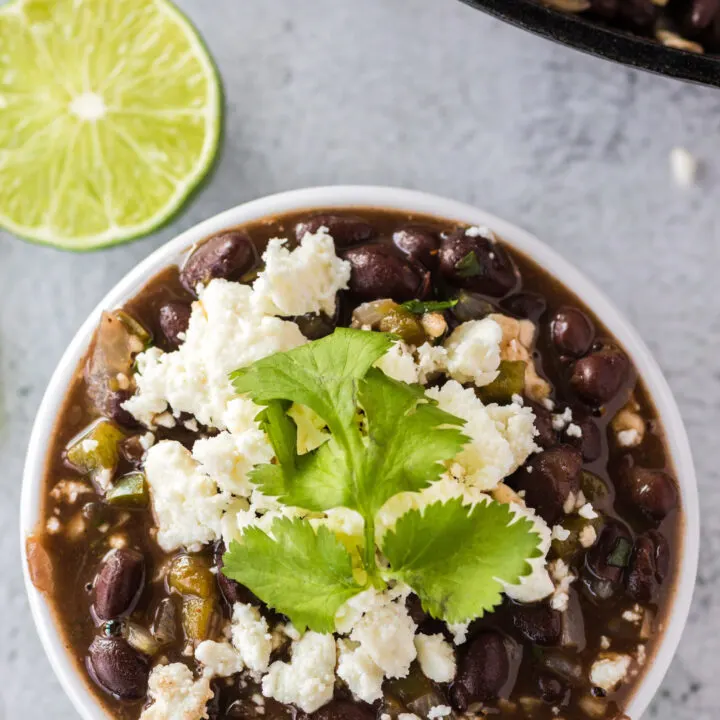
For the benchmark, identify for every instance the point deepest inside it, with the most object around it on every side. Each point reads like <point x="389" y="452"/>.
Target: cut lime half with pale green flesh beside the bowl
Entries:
<point x="109" y="117"/>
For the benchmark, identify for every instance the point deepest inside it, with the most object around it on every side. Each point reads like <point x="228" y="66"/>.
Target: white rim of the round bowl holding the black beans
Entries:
<point x="75" y="683"/>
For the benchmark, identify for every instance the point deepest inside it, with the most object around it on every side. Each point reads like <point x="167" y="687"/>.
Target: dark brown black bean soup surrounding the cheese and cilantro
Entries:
<point x="120" y="611"/>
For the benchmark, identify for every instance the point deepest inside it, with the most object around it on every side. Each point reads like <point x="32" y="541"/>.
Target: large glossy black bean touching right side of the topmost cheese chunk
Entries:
<point x="377" y="272"/>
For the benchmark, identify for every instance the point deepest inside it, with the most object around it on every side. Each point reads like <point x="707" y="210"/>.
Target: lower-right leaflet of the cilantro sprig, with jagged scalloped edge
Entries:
<point x="454" y="556"/>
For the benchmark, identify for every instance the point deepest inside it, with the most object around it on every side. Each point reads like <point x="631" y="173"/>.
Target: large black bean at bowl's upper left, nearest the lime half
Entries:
<point x="228" y="255"/>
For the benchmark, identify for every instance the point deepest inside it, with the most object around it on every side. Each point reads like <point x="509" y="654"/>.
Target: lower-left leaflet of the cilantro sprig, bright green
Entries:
<point x="296" y="571"/>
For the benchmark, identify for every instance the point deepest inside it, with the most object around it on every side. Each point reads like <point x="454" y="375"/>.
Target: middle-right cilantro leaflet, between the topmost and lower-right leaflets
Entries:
<point x="408" y="439"/>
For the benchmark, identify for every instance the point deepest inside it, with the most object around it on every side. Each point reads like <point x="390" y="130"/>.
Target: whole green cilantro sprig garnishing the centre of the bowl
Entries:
<point x="386" y="437"/>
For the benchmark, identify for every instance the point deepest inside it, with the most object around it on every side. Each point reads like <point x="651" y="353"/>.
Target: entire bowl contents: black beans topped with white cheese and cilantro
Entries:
<point x="380" y="468"/>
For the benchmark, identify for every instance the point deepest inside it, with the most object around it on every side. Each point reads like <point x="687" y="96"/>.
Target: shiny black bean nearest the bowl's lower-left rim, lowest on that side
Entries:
<point x="118" y="668"/>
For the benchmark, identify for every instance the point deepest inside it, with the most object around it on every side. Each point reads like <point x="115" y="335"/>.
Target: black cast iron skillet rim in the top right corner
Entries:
<point x="606" y="42"/>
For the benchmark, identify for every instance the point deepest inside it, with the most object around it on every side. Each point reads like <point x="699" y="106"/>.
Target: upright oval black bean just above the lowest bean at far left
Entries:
<point x="118" y="583"/>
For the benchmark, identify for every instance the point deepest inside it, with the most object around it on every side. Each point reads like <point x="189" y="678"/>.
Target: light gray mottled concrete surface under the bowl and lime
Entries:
<point x="425" y="94"/>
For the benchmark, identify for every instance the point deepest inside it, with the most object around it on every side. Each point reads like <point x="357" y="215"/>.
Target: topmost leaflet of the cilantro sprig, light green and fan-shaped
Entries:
<point x="320" y="375"/>
